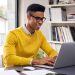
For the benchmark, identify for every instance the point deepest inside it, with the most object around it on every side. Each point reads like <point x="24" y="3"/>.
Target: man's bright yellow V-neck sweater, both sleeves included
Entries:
<point x="20" y="48"/>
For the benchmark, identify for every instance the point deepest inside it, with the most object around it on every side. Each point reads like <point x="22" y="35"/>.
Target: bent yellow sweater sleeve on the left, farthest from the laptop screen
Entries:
<point x="9" y="53"/>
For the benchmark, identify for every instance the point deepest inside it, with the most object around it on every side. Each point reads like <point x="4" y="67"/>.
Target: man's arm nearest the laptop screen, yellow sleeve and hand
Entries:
<point x="51" y="53"/>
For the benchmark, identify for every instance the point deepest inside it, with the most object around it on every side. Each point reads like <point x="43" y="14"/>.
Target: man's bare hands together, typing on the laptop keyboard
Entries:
<point x="45" y="60"/>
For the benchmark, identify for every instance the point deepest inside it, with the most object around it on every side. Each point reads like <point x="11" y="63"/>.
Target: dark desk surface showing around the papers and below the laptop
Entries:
<point x="67" y="70"/>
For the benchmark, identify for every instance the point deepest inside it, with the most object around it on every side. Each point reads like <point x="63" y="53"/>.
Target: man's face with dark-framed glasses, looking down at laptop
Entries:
<point x="36" y="19"/>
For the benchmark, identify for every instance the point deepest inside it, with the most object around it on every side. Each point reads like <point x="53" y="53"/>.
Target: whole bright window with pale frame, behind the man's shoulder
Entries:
<point x="7" y="19"/>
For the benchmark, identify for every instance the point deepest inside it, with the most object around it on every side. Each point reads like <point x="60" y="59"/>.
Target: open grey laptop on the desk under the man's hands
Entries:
<point x="65" y="58"/>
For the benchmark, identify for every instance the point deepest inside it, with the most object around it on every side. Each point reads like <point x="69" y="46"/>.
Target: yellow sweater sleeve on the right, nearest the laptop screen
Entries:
<point x="45" y="45"/>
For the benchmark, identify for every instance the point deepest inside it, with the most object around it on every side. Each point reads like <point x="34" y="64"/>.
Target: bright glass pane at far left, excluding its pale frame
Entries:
<point x="3" y="21"/>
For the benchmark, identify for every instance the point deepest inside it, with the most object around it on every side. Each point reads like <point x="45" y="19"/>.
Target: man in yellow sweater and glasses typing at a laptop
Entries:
<point x="23" y="43"/>
